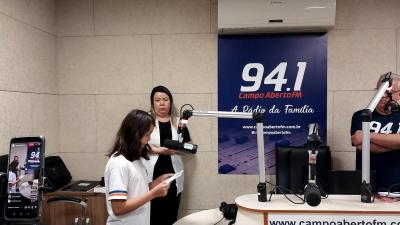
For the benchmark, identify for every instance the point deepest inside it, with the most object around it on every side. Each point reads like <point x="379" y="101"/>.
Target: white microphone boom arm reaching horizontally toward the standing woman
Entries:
<point x="261" y="187"/>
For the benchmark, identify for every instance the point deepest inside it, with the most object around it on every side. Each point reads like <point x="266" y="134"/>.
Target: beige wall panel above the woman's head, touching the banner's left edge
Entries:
<point x="186" y="63"/>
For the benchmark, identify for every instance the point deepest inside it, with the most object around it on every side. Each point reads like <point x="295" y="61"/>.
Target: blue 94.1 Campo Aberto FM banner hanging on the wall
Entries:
<point x="282" y="76"/>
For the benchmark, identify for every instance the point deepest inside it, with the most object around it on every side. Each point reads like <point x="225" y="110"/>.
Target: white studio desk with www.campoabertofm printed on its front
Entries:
<point x="334" y="210"/>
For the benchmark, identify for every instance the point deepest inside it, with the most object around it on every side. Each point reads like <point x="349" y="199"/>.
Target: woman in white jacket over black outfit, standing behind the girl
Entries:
<point x="164" y="210"/>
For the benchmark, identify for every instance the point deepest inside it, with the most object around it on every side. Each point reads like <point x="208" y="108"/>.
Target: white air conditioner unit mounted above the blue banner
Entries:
<point x="275" y="16"/>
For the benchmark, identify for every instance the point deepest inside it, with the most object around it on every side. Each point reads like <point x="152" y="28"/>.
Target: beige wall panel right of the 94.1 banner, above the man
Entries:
<point x="357" y="57"/>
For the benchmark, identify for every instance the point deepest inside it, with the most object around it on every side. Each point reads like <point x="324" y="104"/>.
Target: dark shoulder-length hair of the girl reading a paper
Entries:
<point x="127" y="142"/>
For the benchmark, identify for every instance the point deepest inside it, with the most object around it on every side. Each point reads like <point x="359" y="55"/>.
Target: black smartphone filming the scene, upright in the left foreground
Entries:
<point x="23" y="179"/>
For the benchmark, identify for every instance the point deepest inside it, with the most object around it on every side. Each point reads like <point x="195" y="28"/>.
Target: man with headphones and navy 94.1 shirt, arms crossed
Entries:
<point x="385" y="136"/>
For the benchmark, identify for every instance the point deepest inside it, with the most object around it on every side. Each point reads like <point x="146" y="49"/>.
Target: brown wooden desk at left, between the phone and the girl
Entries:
<point x="65" y="213"/>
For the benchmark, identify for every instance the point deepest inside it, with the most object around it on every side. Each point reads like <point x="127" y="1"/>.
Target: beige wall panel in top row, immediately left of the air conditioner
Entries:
<point x="116" y="17"/>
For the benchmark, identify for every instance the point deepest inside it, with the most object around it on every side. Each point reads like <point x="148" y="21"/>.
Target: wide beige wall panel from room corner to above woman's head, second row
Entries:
<point x="105" y="65"/>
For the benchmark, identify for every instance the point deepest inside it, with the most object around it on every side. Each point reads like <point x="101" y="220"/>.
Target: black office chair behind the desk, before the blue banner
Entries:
<point x="292" y="167"/>
